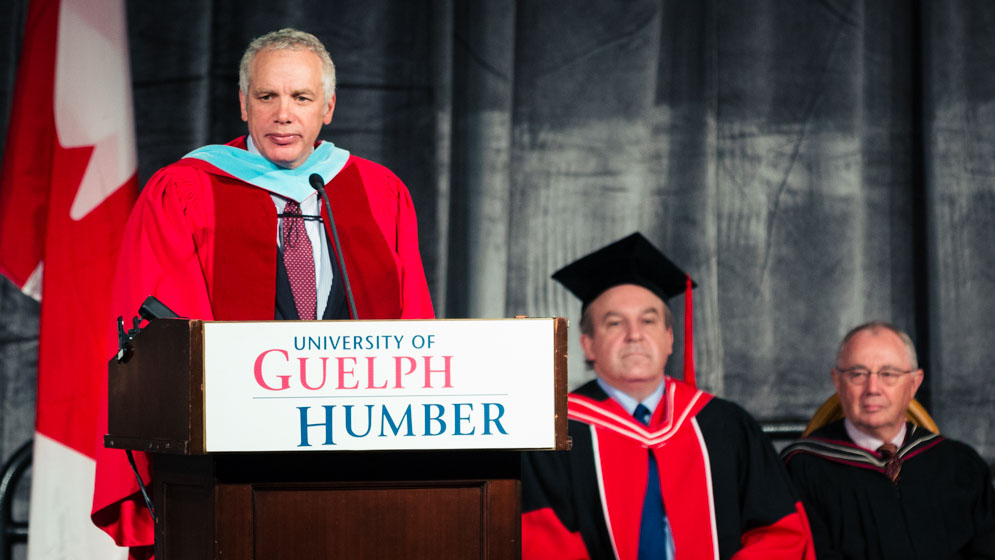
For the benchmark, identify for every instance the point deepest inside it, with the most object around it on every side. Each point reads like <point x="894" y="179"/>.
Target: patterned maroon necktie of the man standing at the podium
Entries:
<point x="298" y="257"/>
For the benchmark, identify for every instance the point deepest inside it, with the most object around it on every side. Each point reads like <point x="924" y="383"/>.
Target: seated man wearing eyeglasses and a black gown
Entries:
<point x="878" y="487"/>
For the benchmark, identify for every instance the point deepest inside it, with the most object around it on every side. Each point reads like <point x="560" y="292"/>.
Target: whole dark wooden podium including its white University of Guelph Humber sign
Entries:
<point x="416" y="425"/>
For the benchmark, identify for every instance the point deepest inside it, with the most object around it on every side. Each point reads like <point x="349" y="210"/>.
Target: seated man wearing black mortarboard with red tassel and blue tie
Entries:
<point x="658" y="469"/>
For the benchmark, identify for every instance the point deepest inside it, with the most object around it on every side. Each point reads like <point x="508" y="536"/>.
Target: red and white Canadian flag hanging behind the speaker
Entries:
<point x="67" y="185"/>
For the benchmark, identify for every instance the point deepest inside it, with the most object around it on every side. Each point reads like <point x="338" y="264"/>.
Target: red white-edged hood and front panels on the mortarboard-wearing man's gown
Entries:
<point x="620" y="444"/>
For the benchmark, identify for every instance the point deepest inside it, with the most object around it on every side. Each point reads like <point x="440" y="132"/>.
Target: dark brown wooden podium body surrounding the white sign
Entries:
<point x="432" y="504"/>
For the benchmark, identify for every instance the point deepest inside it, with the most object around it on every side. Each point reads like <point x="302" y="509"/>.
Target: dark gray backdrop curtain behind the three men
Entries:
<point x="811" y="164"/>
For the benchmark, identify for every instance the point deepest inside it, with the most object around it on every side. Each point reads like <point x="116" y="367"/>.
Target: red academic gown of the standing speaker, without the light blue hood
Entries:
<point x="204" y="242"/>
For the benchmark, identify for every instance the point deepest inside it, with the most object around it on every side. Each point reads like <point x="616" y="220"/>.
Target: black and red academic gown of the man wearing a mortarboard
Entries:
<point x="725" y="492"/>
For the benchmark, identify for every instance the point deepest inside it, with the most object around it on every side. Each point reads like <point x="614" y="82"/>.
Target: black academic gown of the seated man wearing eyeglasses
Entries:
<point x="941" y="507"/>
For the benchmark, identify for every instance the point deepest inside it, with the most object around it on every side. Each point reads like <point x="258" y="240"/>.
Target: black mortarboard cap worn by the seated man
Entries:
<point x="632" y="260"/>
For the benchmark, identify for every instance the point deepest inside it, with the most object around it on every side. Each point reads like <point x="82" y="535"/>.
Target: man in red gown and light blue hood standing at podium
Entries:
<point x="238" y="232"/>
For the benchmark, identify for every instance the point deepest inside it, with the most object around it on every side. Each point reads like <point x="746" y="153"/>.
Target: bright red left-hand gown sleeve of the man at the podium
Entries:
<point x="165" y="252"/>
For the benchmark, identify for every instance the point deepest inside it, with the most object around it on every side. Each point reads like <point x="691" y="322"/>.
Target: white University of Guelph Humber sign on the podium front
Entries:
<point x="379" y="385"/>
